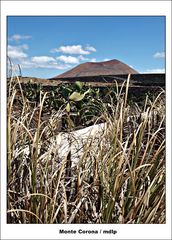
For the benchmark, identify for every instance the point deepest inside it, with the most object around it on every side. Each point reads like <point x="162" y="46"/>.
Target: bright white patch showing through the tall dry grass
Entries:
<point x="73" y="142"/>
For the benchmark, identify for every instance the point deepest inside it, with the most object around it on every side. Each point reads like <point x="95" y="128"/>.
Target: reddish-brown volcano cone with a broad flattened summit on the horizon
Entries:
<point x="112" y="67"/>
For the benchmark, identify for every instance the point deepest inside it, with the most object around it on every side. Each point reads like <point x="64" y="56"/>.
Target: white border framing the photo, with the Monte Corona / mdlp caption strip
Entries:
<point x="85" y="8"/>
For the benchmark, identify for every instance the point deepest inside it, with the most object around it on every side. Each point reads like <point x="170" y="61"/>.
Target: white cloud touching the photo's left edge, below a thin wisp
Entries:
<point x="16" y="52"/>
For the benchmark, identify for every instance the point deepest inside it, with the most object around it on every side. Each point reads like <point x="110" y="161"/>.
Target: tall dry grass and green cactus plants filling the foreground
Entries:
<point x="119" y="179"/>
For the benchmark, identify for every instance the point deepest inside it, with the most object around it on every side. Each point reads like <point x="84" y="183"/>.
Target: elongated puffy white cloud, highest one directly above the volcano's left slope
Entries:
<point x="75" y="49"/>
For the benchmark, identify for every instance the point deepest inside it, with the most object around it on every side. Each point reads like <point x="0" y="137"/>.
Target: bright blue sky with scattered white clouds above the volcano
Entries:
<point x="47" y="46"/>
